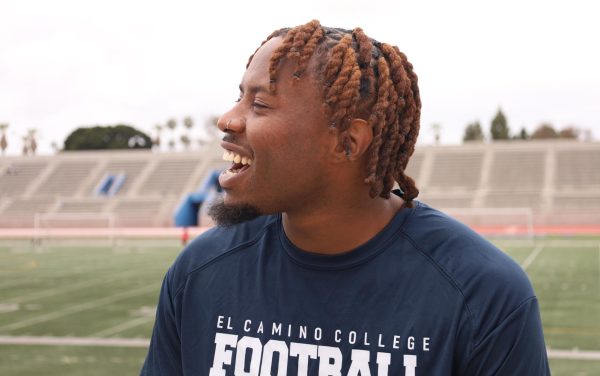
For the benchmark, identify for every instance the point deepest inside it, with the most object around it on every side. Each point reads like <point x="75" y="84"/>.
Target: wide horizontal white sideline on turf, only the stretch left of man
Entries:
<point x="75" y="341"/>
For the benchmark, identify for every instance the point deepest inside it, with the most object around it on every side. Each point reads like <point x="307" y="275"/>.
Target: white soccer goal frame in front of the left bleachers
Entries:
<point x="65" y="226"/>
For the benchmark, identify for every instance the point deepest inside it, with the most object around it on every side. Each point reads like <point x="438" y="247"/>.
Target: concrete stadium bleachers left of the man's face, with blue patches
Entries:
<point x="66" y="184"/>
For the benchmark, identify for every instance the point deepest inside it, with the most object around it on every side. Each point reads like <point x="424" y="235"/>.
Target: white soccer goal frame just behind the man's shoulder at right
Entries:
<point x="496" y="221"/>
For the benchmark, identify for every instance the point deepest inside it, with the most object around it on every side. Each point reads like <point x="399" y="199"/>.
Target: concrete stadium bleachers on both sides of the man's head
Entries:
<point x="559" y="181"/>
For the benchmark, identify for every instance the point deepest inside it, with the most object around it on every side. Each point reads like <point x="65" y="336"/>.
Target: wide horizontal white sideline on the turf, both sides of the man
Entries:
<point x="144" y="342"/>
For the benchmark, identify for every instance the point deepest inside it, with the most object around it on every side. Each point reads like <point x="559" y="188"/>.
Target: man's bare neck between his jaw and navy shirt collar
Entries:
<point x="342" y="226"/>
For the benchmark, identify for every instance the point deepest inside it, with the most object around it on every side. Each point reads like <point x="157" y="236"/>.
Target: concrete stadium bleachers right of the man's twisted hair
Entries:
<point x="559" y="181"/>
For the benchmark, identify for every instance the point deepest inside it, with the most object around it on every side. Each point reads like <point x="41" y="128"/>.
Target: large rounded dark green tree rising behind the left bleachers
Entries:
<point x="107" y="137"/>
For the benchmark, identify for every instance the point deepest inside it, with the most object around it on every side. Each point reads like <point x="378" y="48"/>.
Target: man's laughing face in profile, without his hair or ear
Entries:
<point x="285" y="135"/>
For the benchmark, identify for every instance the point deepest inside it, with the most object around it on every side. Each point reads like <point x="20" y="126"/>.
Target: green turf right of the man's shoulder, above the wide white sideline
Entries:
<point x="566" y="279"/>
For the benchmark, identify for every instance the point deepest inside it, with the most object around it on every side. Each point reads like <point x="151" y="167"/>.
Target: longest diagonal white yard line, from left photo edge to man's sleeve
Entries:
<point x="78" y="308"/>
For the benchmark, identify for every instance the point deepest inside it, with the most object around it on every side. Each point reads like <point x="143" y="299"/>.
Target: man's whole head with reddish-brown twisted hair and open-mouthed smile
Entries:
<point x="340" y="97"/>
